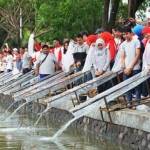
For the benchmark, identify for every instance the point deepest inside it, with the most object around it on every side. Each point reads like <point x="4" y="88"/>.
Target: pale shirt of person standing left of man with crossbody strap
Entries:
<point x="26" y="60"/>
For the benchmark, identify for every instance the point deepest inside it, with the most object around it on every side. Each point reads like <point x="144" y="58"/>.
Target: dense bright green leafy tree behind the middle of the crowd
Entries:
<point x="66" y="18"/>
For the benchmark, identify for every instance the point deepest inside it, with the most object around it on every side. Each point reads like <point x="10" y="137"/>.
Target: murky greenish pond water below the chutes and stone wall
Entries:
<point x="18" y="133"/>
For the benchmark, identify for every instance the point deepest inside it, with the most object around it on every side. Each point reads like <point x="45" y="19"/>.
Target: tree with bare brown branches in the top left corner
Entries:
<point x="9" y="17"/>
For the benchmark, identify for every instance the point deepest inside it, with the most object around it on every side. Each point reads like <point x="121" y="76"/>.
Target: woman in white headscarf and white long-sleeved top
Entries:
<point x="98" y="57"/>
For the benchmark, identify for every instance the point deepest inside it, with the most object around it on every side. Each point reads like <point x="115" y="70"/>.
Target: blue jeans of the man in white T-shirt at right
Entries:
<point x="136" y="90"/>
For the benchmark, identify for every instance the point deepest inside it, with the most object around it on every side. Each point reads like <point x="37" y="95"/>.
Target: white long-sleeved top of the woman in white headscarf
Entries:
<point x="100" y="59"/>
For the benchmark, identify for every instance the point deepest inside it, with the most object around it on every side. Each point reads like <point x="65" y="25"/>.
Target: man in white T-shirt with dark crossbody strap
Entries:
<point x="46" y="63"/>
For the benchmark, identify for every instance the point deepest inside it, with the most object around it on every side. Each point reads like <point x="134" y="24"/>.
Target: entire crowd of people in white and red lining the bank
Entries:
<point x="126" y="48"/>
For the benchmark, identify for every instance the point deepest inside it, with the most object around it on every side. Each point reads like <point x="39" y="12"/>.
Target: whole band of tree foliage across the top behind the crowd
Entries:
<point x="51" y="19"/>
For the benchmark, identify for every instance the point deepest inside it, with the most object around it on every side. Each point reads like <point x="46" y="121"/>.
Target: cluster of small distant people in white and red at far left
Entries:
<point x="15" y="60"/>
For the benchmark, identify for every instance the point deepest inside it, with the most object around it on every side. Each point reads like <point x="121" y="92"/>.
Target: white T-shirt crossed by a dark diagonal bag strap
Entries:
<point x="48" y="66"/>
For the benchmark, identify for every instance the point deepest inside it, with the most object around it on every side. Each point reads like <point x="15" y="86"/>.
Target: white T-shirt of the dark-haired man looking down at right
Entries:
<point x="129" y="48"/>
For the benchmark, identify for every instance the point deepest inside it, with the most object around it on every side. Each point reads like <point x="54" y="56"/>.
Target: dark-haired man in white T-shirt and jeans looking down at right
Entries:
<point x="130" y="60"/>
